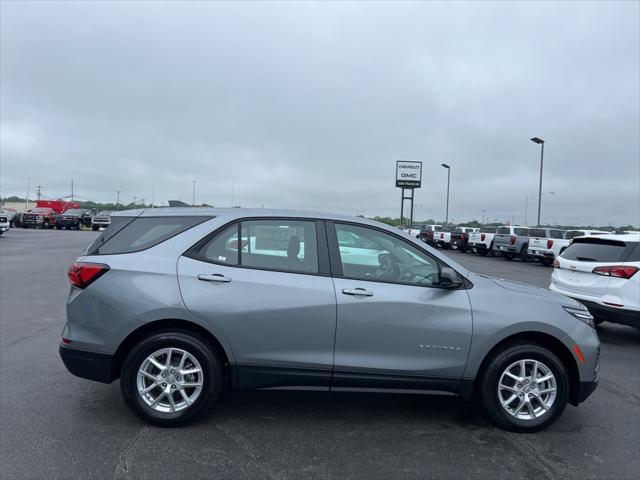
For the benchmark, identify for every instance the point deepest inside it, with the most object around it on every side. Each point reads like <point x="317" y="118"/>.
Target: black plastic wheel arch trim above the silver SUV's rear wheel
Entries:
<point x="151" y="327"/>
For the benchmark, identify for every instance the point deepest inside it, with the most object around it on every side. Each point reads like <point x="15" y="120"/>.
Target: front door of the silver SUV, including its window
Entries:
<point x="395" y="328"/>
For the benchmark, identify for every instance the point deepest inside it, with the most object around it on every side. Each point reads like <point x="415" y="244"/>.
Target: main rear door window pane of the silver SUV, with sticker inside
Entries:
<point x="287" y="245"/>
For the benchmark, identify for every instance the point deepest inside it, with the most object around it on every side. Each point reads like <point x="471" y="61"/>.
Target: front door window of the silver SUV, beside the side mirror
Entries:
<point x="383" y="257"/>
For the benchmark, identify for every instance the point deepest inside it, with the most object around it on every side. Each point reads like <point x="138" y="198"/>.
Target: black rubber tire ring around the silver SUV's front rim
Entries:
<point x="488" y="386"/>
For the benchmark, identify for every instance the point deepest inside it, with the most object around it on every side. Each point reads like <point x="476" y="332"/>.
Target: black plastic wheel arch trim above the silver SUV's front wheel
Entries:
<point x="469" y="387"/>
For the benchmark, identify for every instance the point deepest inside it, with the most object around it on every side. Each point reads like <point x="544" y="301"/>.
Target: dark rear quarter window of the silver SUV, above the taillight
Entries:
<point x="133" y="234"/>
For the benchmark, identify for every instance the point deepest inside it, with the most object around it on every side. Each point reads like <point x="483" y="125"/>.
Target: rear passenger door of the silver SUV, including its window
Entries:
<point x="264" y="285"/>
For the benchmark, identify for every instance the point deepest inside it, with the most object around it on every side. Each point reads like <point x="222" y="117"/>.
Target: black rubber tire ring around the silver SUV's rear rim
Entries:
<point x="197" y="346"/>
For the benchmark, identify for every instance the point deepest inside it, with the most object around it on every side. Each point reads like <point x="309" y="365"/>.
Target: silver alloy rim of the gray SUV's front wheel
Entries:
<point x="527" y="389"/>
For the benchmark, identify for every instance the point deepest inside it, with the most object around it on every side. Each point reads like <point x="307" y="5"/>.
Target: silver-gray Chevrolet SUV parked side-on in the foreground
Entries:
<point x="177" y="302"/>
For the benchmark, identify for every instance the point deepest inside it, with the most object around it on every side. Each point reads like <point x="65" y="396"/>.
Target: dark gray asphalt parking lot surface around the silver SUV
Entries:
<point x="54" y="425"/>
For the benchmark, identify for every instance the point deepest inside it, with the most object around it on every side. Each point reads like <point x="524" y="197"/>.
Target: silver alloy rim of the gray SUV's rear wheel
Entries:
<point x="170" y="380"/>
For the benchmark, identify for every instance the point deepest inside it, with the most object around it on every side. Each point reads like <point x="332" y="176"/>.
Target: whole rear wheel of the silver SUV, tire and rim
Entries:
<point x="171" y="378"/>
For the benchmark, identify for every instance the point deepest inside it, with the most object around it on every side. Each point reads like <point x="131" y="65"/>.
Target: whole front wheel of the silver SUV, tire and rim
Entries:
<point x="524" y="388"/>
